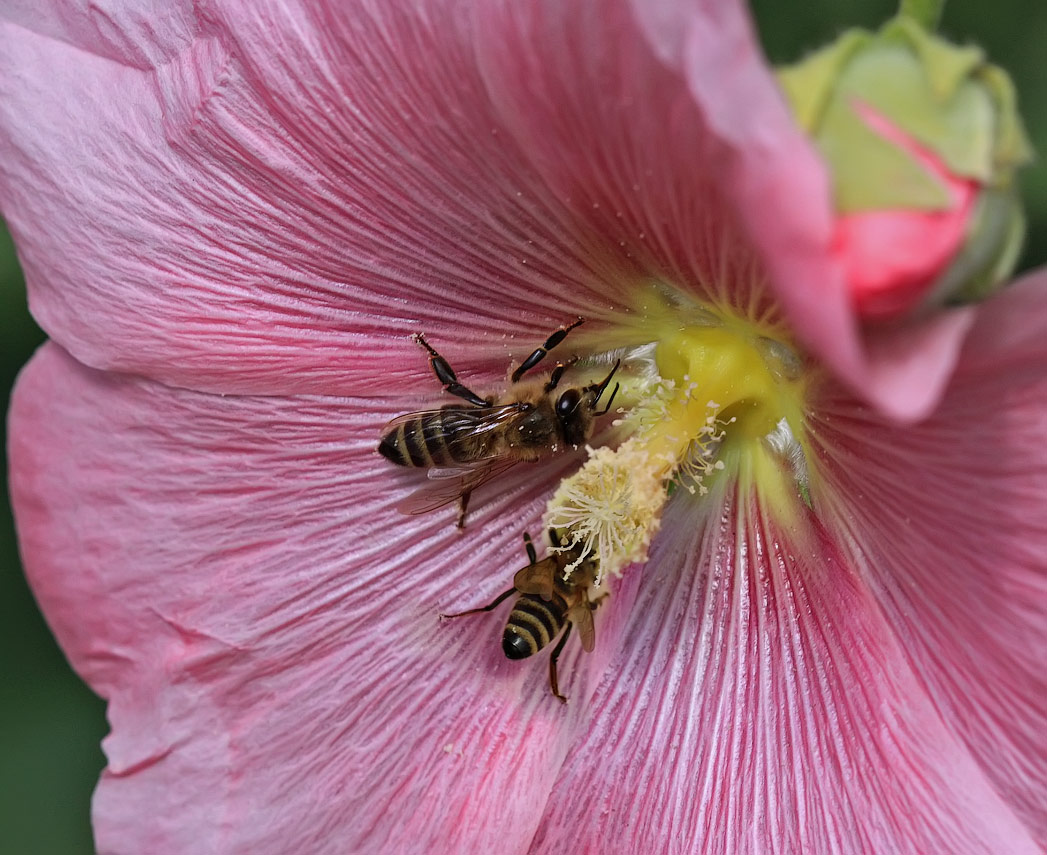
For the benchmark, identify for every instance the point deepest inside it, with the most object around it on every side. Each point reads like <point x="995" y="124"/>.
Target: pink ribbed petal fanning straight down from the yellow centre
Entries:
<point x="760" y="705"/>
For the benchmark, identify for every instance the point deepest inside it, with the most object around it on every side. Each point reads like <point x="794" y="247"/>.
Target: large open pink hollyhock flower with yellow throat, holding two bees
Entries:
<point x="233" y="216"/>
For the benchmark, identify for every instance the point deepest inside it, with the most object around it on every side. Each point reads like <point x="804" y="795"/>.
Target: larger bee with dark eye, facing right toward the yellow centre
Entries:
<point x="474" y="444"/>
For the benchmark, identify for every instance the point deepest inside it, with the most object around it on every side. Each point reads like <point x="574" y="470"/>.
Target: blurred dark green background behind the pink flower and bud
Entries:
<point x="51" y="725"/>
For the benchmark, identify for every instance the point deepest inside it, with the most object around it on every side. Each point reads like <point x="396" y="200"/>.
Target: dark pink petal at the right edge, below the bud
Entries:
<point x="947" y="522"/>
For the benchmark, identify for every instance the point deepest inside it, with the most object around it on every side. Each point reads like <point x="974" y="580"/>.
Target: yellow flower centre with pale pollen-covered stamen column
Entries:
<point x="709" y="395"/>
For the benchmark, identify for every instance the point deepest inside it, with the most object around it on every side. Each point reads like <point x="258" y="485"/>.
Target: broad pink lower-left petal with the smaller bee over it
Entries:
<point x="230" y="573"/>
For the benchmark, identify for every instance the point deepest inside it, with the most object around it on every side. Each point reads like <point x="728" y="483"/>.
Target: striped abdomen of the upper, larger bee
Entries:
<point x="442" y="438"/>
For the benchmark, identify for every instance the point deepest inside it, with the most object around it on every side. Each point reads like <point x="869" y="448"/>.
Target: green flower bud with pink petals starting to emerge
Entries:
<point x="923" y="141"/>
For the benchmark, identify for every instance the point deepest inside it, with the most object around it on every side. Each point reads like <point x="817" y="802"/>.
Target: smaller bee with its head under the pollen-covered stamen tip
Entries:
<point x="547" y="605"/>
